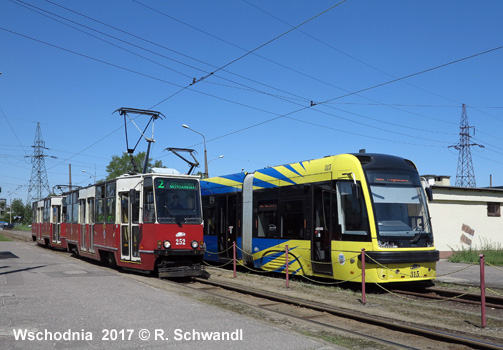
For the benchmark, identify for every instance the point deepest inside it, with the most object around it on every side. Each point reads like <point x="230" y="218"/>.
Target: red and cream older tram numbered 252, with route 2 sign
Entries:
<point x="148" y="222"/>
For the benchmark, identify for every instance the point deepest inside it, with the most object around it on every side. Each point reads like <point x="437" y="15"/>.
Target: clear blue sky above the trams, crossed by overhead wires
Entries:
<point x="255" y="109"/>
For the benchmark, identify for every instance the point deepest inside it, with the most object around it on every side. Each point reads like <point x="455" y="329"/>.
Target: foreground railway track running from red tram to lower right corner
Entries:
<point x="357" y="324"/>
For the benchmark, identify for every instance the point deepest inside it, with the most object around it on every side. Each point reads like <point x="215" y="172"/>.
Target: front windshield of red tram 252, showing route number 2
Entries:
<point x="177" y="201"/>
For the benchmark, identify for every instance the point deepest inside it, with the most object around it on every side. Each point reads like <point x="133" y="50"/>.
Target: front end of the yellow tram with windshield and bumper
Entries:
<point x="401" y="248"/>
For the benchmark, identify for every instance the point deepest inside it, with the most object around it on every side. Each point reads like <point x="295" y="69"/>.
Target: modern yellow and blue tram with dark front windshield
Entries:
<point x="326" y="210"/>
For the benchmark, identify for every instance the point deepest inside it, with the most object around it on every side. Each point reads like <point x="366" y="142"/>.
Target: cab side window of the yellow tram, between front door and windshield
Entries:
<point x="352" y="212"/>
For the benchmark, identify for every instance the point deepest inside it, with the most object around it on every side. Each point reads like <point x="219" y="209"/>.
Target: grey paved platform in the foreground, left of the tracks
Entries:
<point x="53" y="301"/>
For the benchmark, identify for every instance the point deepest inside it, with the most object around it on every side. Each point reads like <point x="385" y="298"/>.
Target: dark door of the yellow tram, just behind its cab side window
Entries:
<point x="324" y="214"/>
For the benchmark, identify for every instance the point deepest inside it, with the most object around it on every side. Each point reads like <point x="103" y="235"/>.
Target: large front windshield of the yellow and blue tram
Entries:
<point x="400" y="208"/>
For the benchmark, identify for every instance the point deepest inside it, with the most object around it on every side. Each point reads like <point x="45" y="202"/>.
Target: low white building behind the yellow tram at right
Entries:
<point x="464" y="218"/>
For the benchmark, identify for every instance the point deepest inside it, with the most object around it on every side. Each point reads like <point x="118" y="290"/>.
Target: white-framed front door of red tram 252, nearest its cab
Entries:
<point x="130" y="229"/>
